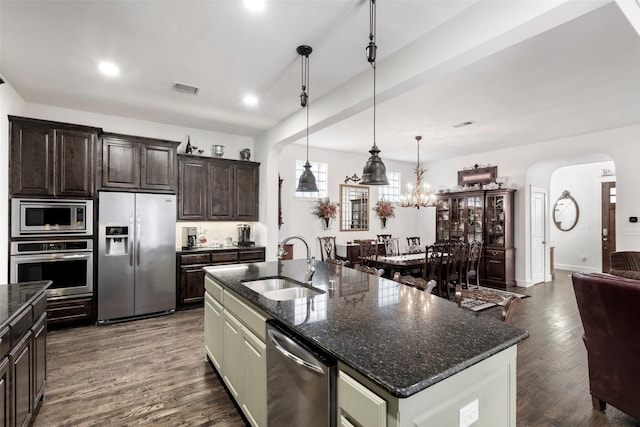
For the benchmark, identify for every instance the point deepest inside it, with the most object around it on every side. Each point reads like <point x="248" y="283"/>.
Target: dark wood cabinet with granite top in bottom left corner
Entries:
<point x="23" y="330"/>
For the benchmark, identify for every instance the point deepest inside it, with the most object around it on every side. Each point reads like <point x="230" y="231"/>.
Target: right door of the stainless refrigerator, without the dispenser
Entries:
<point x="155" y="251"/>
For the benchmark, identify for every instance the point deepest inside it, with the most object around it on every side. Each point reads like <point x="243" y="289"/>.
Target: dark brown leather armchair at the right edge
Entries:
<point x="608" y="307"/>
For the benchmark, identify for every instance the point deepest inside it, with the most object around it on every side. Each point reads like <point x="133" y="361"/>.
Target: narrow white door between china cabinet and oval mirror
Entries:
<point x="538" y="243"/>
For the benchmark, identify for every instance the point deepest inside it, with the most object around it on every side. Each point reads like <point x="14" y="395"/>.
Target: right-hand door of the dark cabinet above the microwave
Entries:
<point x="74" y="163"/>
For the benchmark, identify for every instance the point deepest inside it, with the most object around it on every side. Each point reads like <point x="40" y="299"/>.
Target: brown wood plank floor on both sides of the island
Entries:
<point x="153" y="371"/>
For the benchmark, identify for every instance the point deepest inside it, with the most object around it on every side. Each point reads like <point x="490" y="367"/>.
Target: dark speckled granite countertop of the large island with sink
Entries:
<point x="397" y="336"/>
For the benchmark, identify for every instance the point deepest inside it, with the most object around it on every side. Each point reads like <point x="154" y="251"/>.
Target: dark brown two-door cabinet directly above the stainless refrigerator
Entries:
<point x="136" y="163"/>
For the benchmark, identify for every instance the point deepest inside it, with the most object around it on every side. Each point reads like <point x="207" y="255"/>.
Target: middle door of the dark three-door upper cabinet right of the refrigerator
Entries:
<point x="220" y="197"/>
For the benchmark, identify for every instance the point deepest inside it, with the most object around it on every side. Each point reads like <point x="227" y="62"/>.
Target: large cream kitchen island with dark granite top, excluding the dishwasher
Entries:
<point x="404" y="357"/>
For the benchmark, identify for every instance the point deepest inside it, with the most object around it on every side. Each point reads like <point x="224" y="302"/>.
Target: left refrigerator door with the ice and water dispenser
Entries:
<point x="116" y="261"/>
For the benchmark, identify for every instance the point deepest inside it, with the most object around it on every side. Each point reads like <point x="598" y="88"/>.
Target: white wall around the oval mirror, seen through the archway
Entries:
<point x="579" y="249"/>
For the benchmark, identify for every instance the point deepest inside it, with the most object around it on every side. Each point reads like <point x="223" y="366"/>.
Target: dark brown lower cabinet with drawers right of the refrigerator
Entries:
<point x="190" y="273"/>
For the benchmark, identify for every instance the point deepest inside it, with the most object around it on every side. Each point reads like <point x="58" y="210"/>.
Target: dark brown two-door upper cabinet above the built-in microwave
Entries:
<point x="51" y="159"/>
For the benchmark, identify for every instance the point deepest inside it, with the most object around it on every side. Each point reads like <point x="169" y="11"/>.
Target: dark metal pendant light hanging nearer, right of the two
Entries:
<point x="374" y="171"/>
